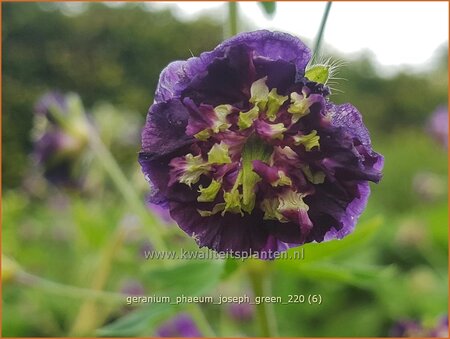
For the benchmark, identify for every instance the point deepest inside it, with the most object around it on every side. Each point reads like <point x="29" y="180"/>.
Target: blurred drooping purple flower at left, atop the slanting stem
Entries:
<point x="59" y="138"/>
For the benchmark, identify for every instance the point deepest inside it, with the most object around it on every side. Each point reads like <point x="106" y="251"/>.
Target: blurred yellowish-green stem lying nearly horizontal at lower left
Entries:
<point x="67" y="290"/>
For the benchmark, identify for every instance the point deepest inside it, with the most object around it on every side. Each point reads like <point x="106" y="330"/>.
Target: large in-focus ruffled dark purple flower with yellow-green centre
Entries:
<point x="249" y="154"/>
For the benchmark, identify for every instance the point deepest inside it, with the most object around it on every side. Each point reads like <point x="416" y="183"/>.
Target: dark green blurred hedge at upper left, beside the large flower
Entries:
<point x="104" y="53"/>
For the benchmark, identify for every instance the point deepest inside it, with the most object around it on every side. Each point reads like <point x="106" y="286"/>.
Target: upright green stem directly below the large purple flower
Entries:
<point x="259" y="274"/>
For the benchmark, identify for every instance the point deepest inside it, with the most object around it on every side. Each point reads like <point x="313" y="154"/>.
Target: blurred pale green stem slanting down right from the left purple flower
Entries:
<point x="129" y="194"/>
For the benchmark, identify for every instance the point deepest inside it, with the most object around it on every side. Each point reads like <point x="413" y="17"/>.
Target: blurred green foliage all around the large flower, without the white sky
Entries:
<point x="394" y="266"/>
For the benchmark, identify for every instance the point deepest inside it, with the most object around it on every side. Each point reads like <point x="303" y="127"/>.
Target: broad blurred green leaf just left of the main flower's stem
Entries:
<point x="190" y="279"/>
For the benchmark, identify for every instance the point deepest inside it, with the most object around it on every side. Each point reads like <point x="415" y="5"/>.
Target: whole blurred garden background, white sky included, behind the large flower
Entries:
<point x="73" y="247"/>
